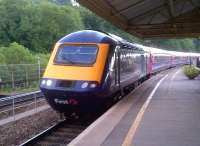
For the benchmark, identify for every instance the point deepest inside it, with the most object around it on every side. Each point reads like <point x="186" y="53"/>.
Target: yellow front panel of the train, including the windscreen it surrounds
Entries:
<point x="79" y="63"/>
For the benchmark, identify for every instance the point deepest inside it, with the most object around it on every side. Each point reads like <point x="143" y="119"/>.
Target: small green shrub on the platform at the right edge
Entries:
<point x="191" y="72"/>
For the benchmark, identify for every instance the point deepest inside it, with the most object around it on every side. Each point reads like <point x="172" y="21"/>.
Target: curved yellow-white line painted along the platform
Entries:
<point x="131" y="133"/>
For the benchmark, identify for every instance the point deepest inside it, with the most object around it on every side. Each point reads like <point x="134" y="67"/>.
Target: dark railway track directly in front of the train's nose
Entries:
<point x="59" y="134"/>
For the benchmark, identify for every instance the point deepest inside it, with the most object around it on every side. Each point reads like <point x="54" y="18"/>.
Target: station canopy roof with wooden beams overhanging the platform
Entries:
<point x="150" y="18"/>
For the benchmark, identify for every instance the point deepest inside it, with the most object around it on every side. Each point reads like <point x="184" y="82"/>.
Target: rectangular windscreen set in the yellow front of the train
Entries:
<point x="76" y="55"/>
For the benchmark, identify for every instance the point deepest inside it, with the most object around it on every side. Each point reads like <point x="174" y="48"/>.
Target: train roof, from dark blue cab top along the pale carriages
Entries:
<point x="92" y="36"/>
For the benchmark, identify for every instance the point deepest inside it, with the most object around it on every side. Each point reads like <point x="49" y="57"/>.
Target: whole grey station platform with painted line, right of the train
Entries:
<point x="163" y="111"/>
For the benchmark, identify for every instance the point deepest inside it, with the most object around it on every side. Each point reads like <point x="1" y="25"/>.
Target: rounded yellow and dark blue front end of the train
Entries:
<point x="73" y="78"/>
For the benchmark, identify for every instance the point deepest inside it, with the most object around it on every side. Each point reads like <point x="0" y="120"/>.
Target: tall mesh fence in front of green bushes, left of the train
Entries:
<point x="20" y="75"/>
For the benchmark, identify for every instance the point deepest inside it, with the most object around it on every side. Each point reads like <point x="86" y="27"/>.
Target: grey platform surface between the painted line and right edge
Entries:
<point x="172" y="118"/>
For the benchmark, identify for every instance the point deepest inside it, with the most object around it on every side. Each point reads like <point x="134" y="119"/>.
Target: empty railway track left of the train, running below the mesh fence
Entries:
<point x="20" y="98"/>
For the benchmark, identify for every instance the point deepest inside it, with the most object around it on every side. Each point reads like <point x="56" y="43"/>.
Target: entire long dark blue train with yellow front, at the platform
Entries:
<point x="87" y="67"/>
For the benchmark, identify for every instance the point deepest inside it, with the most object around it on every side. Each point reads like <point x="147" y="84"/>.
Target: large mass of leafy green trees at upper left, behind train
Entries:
<point x="36" y="25"/>
